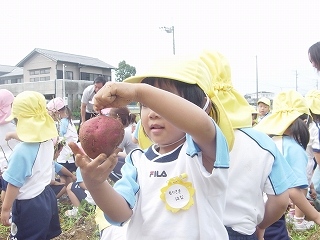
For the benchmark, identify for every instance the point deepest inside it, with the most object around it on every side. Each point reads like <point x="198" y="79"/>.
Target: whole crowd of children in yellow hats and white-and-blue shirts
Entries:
<point x="200" y="161"/>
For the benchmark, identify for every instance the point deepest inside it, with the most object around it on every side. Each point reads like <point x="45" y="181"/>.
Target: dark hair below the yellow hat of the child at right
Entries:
<point x="299" y="131"/>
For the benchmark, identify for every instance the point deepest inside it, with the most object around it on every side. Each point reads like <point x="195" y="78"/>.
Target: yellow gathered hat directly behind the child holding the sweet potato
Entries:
<point x="236" y="106"/>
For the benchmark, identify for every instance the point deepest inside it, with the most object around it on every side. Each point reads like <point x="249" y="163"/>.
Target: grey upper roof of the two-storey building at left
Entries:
<point x="66" y="57"/>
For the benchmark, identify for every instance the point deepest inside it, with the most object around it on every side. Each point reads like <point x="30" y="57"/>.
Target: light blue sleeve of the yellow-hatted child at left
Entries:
<point x="20" y="163"/>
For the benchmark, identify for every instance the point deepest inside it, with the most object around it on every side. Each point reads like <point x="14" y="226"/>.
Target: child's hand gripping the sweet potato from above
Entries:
<point x="114" y="95"/>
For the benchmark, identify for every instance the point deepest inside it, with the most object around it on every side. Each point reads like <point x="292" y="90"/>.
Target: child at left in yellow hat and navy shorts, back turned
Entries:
<point x="33" y="203"/>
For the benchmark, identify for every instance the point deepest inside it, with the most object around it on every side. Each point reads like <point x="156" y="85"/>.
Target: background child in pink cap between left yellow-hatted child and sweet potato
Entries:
<point x="67" y="130"/>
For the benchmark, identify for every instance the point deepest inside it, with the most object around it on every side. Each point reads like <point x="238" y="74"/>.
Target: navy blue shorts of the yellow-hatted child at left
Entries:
<point x="36" y="218"/>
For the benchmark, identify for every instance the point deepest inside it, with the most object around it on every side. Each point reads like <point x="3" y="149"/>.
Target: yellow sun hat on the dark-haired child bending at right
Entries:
<point x="287" y="107"/>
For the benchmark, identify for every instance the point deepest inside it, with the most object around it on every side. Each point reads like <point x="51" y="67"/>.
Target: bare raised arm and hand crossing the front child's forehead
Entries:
<point x="170" y="106"/>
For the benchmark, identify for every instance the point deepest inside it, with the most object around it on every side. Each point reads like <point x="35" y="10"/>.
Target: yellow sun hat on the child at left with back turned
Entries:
<point x="34" y="123"/>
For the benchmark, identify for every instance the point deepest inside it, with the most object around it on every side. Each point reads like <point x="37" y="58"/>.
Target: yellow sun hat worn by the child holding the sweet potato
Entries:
<point x="189" y="70"/>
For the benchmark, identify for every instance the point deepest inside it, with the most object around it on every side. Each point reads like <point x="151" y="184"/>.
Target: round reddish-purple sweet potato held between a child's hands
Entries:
<point x="100" y="134"/>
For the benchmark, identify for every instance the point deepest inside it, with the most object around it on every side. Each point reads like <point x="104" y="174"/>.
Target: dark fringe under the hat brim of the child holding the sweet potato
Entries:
<point x="191" y="92"/>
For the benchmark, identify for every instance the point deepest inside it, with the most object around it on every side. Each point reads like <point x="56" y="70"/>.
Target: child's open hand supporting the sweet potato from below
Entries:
<point x="96" y="171"/>
